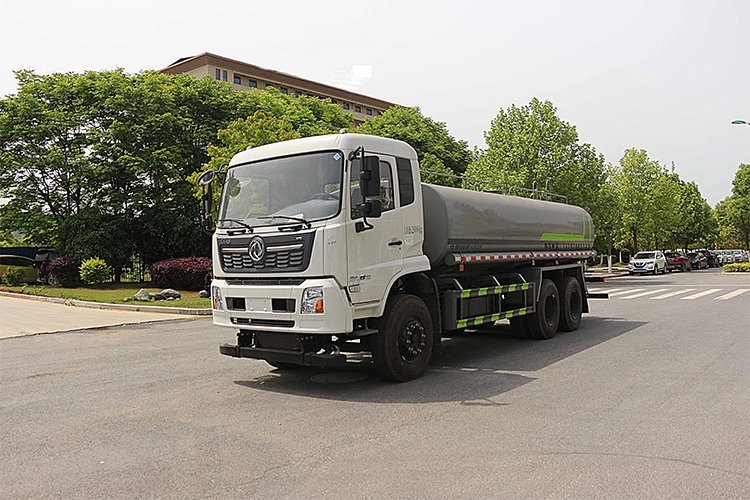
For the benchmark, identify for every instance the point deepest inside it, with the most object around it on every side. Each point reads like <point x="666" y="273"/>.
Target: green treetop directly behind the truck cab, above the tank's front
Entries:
<point x="426" y="136"/>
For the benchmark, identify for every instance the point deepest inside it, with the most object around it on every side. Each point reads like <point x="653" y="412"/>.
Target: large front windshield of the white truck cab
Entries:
<point x="304" y="186"/>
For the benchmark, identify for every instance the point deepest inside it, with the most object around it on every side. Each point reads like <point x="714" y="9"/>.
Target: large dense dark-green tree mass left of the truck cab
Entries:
<point x="109" y="153"/>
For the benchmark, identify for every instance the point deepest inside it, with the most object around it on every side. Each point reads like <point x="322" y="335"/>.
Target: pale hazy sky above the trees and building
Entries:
<point x="664" y="76"/>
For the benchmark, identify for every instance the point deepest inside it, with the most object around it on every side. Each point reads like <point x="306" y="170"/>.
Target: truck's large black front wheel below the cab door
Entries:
<point x="402" y="348"/>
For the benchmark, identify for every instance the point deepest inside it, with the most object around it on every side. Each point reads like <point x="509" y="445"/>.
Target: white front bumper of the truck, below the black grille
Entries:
<point x="259" y="314"/>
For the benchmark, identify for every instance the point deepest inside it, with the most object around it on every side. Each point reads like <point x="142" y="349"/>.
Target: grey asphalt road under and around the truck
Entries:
<point x="648" y="399"/>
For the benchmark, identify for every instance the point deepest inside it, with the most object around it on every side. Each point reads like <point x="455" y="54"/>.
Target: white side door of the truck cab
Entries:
<point x="375" y="255"/>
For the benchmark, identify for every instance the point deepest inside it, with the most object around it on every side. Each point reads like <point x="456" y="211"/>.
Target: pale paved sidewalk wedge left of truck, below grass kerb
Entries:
<point x="21" y="318"/>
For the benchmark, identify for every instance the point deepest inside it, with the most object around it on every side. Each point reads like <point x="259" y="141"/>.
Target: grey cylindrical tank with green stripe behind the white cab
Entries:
<point x="460" y="220"/>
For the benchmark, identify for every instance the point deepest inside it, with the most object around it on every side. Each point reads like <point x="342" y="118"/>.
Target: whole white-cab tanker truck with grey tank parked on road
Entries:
<point x="330" y="247"/>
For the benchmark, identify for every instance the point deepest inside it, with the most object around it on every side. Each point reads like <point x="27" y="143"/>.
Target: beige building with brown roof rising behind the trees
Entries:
<point x="244" y="76"/>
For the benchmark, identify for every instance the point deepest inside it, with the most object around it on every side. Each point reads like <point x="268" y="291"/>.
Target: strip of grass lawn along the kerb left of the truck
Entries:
<point x="112" y="293"/>
